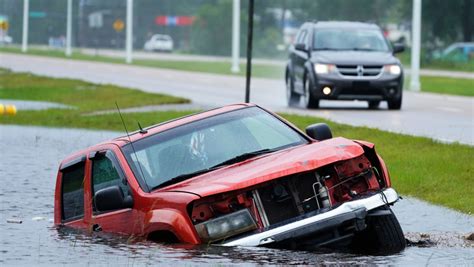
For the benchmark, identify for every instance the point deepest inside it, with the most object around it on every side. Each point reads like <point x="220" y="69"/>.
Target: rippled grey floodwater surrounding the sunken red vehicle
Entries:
<point x="28" y="164"/>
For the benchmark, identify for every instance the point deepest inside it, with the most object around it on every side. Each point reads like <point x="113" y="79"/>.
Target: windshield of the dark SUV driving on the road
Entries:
<point x="349" y="39"/>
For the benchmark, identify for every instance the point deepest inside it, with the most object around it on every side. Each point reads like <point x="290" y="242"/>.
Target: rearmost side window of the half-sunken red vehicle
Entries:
<point x="73" y="192"/>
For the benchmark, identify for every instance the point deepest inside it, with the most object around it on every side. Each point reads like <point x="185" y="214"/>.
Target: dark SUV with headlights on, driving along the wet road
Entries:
<point x="344" y="61"/>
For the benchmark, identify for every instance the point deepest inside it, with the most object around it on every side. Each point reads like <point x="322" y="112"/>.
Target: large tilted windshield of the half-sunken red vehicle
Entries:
<point x="195" y="148"/>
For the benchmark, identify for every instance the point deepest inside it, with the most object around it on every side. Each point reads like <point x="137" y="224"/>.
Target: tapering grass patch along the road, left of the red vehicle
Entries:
<point x="85" y="96"/>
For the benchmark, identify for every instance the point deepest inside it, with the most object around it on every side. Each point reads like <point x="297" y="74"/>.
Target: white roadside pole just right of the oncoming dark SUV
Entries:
<point x="415" y="49"/>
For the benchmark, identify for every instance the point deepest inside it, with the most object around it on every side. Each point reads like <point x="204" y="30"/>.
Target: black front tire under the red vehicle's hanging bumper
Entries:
<point x="382" y="236"/>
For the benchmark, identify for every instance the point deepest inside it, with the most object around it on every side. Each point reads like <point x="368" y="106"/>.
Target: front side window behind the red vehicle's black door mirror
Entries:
<point x="106" y="172"/>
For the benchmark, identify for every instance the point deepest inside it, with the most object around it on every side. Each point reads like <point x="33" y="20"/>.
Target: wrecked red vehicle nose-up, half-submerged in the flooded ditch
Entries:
<point x="235" y="176"/>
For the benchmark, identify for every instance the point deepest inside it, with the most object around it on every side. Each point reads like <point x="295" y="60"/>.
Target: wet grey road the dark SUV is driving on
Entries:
<point x="446" y="118"/>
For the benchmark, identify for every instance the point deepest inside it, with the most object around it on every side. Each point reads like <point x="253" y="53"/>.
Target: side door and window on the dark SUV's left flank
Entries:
<point x="300" y="57"/>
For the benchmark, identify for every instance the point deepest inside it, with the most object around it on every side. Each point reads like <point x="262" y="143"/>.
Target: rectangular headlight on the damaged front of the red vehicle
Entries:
<point x="226" y="226"/>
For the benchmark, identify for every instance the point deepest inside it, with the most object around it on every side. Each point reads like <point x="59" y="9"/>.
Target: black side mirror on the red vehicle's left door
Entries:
<point x="112" y="198"/>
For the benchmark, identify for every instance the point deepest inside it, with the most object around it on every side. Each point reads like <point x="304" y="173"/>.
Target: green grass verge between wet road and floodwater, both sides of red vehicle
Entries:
<point x="419" y="167"/>
